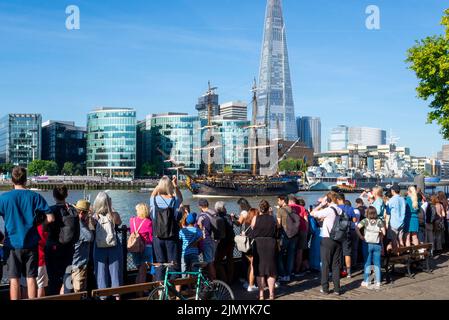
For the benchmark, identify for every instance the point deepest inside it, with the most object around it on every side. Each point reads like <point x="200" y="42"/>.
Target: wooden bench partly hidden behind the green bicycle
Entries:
<point x="137" y="288"/>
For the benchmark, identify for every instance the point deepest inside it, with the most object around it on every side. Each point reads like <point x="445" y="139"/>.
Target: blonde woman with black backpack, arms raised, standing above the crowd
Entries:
<point x="165" y="202"/>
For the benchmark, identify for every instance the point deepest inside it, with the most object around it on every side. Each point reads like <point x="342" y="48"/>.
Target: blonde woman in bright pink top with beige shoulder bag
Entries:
<point x="141" y="224"/>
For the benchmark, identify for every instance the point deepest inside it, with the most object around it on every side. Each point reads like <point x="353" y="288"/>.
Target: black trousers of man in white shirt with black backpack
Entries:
<point x="331" y="254"/>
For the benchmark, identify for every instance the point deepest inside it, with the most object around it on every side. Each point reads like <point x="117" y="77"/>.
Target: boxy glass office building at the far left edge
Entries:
<point x="20" y="138"/>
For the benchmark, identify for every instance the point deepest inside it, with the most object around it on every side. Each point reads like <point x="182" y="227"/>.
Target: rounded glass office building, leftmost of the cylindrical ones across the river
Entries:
<point x="111" y="143"/>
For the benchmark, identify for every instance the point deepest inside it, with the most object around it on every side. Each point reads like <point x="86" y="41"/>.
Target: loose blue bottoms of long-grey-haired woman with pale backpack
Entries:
<point x="108" y="266"/>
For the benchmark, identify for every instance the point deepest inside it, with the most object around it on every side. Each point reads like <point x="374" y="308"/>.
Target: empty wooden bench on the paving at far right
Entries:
<point x="408" y="256"/>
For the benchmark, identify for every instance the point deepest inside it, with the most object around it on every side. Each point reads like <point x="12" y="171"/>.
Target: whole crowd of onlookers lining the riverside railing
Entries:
<point x="59" y="249"/>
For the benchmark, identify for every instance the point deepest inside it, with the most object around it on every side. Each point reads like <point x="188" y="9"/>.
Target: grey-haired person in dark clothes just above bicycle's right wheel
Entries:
<point x="224" y="257"/>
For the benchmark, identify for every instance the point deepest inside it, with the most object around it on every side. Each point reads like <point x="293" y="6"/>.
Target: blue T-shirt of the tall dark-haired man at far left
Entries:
<point x="21" y="210"/>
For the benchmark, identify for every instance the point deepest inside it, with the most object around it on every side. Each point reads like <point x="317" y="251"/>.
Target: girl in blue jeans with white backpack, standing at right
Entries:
<point x="374" y="230"/>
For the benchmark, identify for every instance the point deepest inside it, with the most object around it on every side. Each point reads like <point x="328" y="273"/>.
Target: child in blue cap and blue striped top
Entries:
<point x="190" y="235"/>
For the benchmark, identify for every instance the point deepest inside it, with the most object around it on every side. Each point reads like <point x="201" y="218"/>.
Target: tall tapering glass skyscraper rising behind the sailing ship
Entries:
<point x="275" y="97"/>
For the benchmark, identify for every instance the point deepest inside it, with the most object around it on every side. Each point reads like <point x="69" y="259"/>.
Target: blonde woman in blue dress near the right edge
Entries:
<point x="411" y="221"/>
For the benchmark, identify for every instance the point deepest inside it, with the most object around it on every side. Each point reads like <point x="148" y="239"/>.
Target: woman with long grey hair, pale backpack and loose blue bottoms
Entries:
<point x="108" y="257"/>
